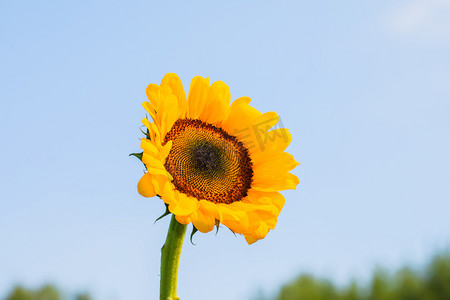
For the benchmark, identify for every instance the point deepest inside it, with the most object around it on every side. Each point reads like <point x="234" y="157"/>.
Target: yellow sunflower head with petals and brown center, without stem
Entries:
<point x="212" y="162"/>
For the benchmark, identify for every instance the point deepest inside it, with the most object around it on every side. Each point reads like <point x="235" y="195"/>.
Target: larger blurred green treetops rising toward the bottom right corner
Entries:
<point x="430" y="283"/>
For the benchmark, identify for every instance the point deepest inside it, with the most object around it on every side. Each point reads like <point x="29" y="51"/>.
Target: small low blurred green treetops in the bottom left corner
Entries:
<point x="46" y="292"/>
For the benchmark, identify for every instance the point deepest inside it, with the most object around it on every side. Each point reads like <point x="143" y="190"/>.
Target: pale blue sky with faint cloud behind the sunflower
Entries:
<point x="363" y="86"/>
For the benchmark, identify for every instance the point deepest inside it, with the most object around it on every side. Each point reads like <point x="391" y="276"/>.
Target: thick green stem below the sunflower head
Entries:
<point x="170" y="258"/>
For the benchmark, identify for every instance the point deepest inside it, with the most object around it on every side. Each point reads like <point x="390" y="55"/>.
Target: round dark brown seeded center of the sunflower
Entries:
<point x="208" y="163"/>
